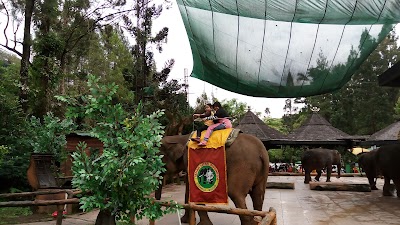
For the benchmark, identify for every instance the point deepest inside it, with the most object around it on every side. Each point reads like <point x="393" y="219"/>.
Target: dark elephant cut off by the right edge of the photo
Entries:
<point x="388" y="163"/>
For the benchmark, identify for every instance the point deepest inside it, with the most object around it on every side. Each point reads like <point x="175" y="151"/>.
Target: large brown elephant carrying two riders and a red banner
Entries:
<point x="247" y="165"/>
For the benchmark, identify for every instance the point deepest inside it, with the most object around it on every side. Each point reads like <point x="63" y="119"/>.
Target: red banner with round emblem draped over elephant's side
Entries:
<point x="207" y="176"/>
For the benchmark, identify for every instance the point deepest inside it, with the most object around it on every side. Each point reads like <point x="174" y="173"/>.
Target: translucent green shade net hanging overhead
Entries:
<point x="284" y="48"/>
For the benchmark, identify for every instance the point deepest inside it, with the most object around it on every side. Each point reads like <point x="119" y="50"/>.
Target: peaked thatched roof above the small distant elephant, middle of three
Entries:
<point x="317" y="128"/>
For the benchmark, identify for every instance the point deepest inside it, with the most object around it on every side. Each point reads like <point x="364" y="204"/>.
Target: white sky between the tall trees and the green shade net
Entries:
<point x="178" y="48"/>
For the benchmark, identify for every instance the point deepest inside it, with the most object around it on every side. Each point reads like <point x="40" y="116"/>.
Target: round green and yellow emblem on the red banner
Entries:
<point x="206" y="177"/>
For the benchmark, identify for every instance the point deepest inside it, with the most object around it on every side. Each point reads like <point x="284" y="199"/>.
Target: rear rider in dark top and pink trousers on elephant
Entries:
<point x="221" y="121"/>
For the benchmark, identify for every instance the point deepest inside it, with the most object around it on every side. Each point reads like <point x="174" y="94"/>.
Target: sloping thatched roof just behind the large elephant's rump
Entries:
<point x="251" y="124"/>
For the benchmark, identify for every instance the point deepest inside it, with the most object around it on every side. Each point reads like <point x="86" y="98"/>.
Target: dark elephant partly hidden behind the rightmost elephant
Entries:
<point x="367" y="162"/>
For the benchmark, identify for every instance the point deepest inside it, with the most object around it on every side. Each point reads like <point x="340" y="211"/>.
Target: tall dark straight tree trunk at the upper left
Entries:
<point x="26" y="53"/>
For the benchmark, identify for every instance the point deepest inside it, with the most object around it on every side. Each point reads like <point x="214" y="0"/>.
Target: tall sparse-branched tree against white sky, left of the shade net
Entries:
<point x="142" y="77"/>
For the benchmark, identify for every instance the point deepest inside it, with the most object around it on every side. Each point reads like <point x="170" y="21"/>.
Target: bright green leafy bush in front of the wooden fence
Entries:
<point x="121" y="179"/>
